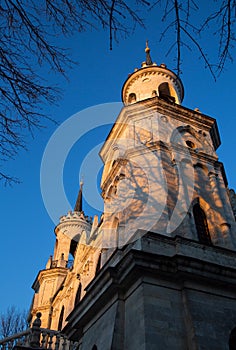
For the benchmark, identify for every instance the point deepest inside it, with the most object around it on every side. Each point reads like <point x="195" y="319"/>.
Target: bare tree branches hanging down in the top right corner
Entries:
<point x="178" y="16"/>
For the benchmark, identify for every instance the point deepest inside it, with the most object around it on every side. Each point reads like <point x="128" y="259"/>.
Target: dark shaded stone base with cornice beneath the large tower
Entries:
<point x="159" y="293"/>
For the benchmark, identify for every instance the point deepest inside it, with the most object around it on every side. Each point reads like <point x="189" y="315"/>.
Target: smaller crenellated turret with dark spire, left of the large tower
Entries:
<point x="50" y="280"/>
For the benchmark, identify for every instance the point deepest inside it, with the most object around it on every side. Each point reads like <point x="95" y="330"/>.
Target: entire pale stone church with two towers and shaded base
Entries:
<point x="158" y="269"/>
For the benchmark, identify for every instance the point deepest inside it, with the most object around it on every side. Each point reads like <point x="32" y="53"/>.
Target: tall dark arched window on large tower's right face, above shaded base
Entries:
<point x="201" y="224"/>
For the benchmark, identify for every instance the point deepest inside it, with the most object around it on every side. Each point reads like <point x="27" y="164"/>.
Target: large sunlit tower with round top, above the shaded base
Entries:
<point x="161" y="170"/>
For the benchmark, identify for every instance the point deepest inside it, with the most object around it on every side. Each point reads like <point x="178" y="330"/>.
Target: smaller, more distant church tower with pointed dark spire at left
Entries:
<point x="58" y="286"/>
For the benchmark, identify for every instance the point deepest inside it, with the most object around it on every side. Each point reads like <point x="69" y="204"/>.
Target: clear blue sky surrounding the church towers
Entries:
<point x="27" y="237"/>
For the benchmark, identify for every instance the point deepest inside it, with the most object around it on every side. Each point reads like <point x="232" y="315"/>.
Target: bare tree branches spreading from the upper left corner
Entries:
<point x="28" y="31"/>
